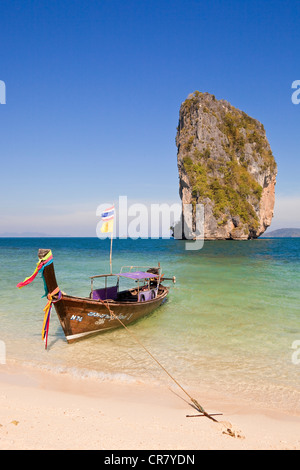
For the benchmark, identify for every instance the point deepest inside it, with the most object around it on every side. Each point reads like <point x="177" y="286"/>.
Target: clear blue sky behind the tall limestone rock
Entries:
<point x="93" y="91"/>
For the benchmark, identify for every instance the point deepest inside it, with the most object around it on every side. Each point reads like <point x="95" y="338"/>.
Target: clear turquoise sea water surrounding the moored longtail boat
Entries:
<point x="229" y="324"/>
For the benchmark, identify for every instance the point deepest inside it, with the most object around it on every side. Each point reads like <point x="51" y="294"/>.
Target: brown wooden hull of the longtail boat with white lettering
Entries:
<point x="81" y="317"/>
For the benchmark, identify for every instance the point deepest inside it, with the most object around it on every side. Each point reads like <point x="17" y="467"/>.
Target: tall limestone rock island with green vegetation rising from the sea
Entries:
<point x="225" y="162"/>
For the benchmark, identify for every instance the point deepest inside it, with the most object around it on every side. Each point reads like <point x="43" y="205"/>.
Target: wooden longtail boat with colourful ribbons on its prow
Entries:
<point x="105" y="308"/>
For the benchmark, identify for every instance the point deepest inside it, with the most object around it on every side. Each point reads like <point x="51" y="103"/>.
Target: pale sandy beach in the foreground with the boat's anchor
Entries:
<point x="42" y="410"/>
